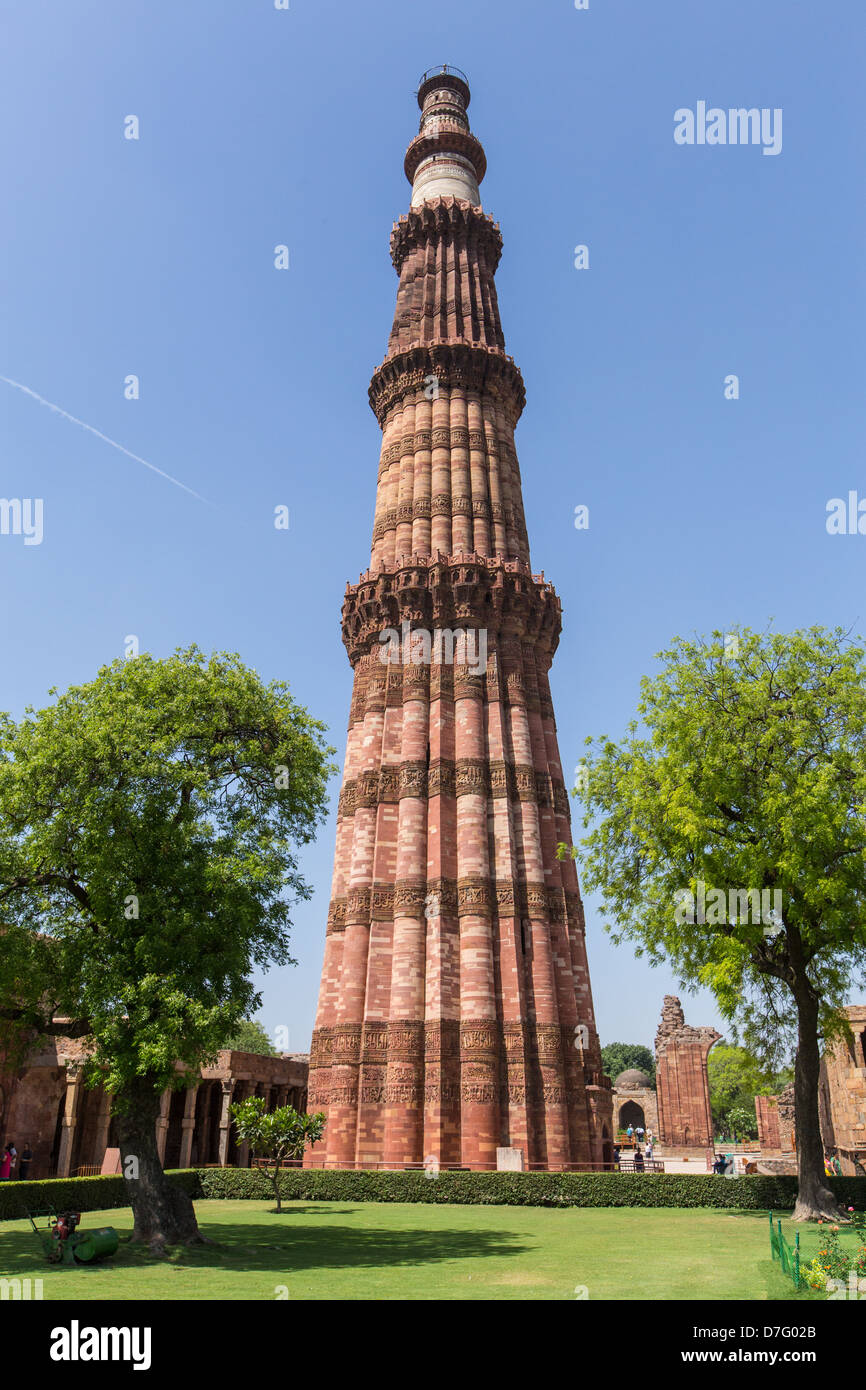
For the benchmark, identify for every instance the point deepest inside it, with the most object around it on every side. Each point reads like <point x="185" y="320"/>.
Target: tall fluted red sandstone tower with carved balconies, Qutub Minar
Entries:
<point x="455" y="1014"/>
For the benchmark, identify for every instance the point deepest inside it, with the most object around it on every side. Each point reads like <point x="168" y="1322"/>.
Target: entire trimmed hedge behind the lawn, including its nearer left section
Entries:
<point x="318" y="1185"/>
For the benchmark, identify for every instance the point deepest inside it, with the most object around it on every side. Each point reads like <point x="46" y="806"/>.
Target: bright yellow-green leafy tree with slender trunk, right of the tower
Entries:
<point x="751" y="775"/>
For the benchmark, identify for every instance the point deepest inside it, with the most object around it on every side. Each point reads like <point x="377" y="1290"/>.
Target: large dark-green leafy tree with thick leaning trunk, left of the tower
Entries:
<point x="148" y="832"/>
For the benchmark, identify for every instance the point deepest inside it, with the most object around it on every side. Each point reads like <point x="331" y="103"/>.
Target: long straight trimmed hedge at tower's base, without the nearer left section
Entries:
<point x="755" y="1193"/>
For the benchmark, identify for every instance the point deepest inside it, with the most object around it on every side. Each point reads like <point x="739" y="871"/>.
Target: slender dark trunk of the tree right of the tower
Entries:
<point x="815" y="1202"/>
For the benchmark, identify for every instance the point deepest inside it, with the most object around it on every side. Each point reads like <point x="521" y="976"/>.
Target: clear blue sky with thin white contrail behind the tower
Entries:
<point x="262" y="127"/>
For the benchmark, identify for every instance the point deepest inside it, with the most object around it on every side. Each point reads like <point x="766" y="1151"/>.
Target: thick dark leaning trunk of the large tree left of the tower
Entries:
<point x="163" y="1214"/>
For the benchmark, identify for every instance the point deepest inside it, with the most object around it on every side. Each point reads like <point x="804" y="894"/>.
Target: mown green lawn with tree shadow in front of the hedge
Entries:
<point x="414" y="1252"/>
